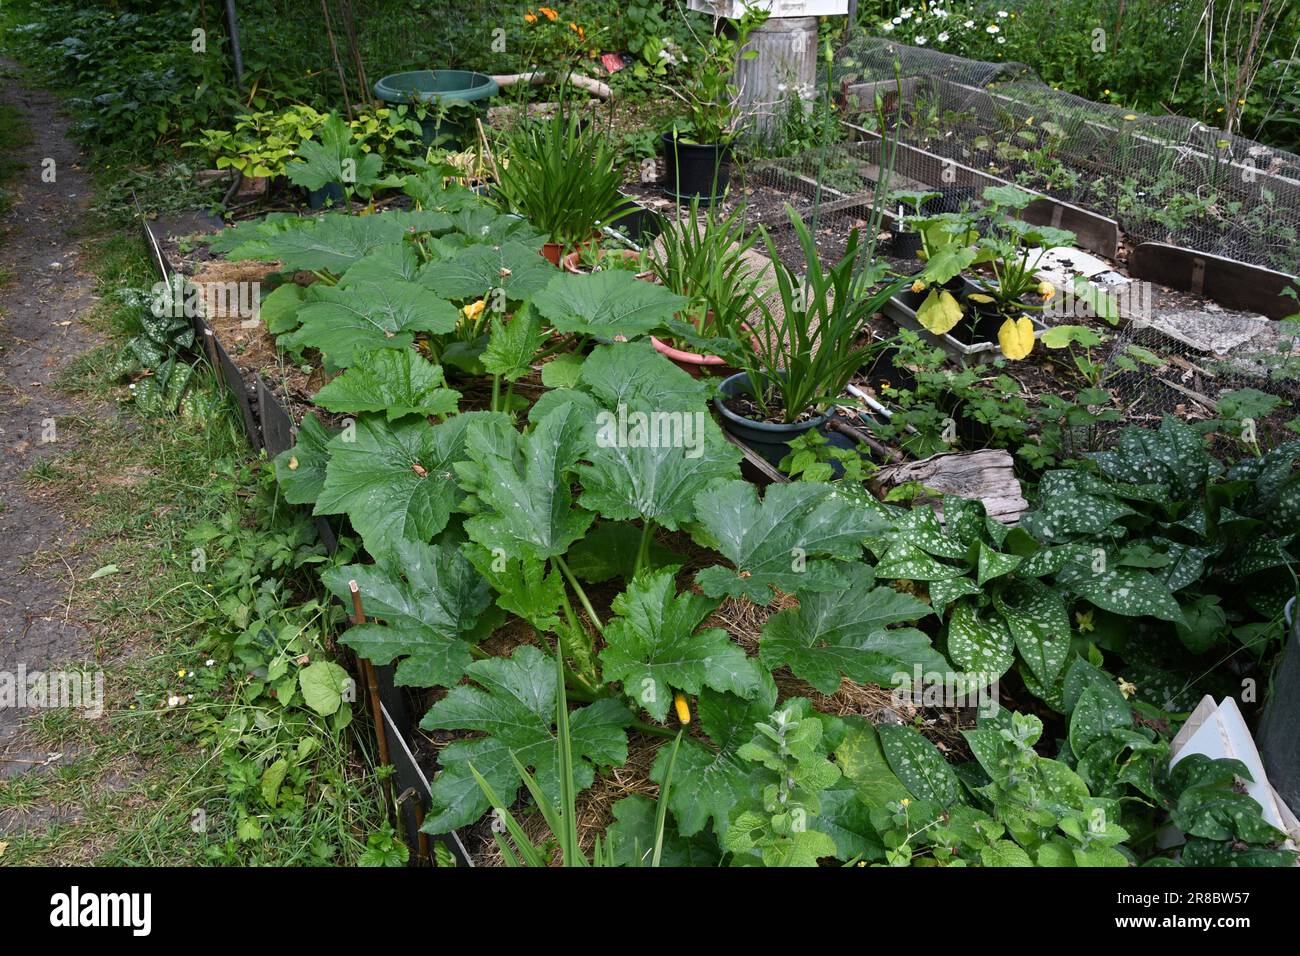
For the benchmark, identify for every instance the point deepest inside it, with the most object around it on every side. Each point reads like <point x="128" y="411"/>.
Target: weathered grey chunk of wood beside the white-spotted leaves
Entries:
<point x="987" y="477"/>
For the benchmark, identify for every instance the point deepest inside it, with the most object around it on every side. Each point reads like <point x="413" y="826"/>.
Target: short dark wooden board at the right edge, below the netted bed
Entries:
<point x="1230" y="283"/>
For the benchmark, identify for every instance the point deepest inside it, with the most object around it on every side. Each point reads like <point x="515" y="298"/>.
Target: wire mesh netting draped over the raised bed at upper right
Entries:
<point x="1163" y="179"/>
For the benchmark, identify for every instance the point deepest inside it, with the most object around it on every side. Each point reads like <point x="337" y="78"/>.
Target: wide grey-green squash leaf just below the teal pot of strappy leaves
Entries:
<point x="778" y="543"/>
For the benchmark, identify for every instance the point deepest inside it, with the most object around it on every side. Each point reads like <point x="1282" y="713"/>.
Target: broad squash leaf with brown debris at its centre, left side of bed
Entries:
<point x="395" y="482"/>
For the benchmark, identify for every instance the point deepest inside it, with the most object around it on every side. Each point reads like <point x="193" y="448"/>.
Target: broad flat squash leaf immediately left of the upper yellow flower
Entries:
<point x="369" y="315"/>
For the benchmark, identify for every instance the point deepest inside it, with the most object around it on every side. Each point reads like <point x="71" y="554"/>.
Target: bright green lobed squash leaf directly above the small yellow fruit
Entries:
<point x="653" y="648"/>
